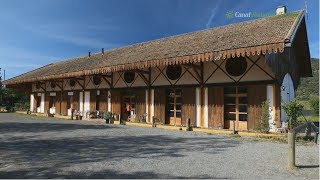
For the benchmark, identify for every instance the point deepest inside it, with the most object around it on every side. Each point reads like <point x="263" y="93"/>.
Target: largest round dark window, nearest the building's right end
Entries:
<point x="236" y="66"/>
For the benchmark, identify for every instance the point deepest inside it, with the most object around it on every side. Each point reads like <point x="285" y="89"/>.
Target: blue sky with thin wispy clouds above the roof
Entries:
<point x="37" y="32"/>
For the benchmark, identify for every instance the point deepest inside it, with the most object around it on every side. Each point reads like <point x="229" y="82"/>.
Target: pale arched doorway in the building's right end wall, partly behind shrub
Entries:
<point x="287" y="93"/>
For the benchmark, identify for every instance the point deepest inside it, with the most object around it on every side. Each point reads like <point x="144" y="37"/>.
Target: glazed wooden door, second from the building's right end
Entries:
<point x="174" y="106"/>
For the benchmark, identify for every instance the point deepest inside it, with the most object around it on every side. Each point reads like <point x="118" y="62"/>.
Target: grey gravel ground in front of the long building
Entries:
<point x="39" y="147"/>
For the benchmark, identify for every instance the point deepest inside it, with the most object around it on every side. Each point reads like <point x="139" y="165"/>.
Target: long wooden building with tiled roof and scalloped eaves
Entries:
<point x="214" y="77"/>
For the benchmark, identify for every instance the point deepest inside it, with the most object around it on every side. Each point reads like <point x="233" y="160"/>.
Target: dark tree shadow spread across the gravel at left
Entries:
<point x="46" y="157"/>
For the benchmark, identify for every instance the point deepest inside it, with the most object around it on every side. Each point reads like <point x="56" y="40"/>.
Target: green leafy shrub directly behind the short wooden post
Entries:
<point x="293" y="110"/>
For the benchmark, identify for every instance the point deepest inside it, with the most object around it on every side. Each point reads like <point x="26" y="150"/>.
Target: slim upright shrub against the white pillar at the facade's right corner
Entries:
<point x="263" y="125"/>
